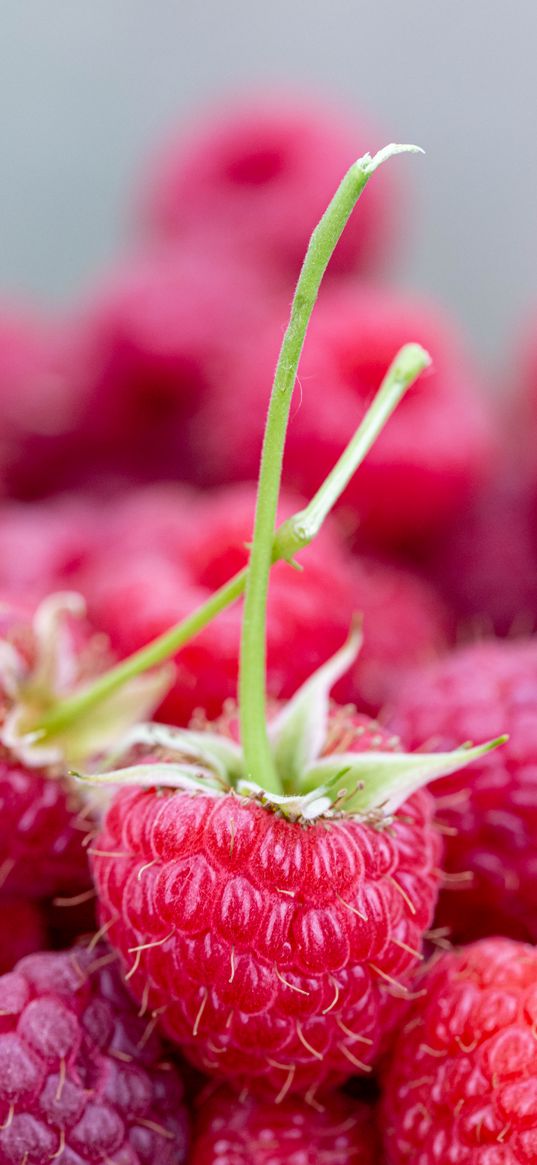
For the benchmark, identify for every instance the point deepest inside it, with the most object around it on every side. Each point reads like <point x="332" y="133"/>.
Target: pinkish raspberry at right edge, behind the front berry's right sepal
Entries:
<point x="491" y="811"/>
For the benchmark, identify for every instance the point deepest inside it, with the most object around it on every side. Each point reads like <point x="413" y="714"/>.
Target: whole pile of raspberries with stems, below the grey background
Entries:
<point x="237" y="924"/>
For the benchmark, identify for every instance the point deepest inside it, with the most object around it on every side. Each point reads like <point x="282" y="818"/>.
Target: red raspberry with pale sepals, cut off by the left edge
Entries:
<point x="41" y="821"/>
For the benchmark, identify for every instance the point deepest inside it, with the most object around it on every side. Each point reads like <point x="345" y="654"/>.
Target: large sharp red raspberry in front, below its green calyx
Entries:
<point x="274" y="954"/>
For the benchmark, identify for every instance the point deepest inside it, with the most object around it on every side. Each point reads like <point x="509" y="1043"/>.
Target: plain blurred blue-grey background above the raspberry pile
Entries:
<point x="87" y="89"/>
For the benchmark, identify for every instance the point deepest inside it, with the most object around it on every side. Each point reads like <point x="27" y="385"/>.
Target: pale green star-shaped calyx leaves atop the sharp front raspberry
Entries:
<point x="363" y="785"/>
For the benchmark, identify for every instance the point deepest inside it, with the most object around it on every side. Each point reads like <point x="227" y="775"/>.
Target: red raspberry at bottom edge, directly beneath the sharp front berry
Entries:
<point x="241" y="1133"/>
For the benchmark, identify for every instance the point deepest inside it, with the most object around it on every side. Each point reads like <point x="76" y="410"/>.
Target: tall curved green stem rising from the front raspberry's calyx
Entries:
<point x="259" y="762"/>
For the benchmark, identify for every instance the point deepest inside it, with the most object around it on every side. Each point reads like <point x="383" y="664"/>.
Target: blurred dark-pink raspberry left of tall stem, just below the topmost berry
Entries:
<point x="147" y="349"/>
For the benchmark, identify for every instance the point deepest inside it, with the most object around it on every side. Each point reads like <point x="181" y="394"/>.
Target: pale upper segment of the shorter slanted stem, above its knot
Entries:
<point x="303" y="527"/>
